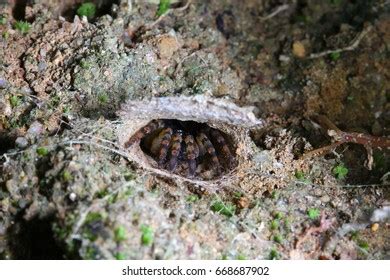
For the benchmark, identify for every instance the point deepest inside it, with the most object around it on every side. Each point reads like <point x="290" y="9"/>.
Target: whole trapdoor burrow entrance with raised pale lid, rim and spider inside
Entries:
<point x="198" y="139"/>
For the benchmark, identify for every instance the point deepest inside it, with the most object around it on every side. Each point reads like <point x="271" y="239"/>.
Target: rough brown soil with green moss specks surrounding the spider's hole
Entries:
<point x="266" y="73"/>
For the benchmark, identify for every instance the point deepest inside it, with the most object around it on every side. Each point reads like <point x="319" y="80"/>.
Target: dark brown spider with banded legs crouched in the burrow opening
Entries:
<point x="187" y="148"/>
